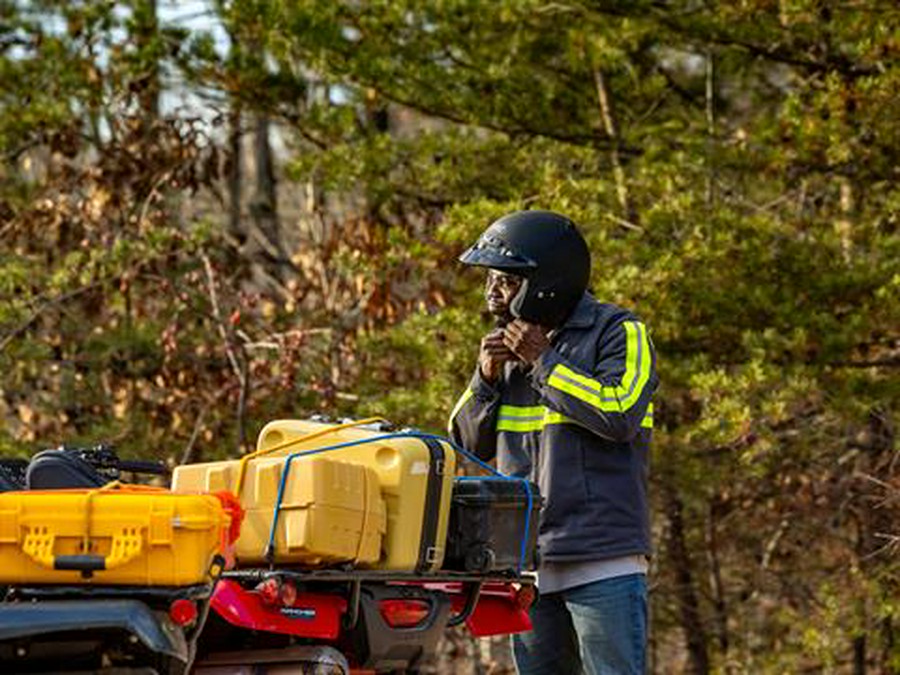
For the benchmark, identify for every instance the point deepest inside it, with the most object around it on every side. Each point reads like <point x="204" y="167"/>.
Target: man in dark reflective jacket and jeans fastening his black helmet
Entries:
<point x="562" y="395"/>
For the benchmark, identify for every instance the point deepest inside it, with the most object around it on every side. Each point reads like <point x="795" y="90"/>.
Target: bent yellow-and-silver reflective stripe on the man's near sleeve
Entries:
<point x="611" y="398"/>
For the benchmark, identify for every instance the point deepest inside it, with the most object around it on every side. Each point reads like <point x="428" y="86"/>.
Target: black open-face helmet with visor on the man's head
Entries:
<point x="548" y="251"/>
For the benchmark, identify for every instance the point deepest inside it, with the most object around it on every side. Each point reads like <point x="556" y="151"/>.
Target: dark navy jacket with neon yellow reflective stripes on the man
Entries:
<point x="578" y="423"/>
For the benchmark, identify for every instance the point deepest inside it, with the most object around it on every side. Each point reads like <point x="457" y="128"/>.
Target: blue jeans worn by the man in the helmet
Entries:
<point x="599" y="628"/>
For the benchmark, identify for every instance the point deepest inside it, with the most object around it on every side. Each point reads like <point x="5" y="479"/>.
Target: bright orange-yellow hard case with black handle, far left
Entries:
<point x="109" y="537"/>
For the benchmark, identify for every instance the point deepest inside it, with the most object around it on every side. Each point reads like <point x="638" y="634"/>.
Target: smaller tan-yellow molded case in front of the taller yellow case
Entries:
<point x="331" y="511"/>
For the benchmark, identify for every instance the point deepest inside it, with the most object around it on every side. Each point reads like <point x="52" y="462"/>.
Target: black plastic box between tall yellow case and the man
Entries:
<point x="487" y="526"/>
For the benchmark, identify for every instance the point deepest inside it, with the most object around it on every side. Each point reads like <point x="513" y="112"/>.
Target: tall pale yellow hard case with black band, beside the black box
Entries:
<point x="416" y="477"/>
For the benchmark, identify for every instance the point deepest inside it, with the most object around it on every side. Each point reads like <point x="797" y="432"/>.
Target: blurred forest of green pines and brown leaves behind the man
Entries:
<point x="214" y="214"/>
